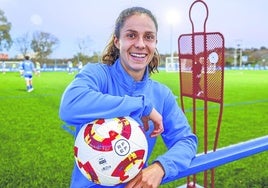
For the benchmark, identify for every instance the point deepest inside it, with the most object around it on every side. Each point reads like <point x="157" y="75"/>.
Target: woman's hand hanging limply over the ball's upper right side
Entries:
<point x="156" y="117"/>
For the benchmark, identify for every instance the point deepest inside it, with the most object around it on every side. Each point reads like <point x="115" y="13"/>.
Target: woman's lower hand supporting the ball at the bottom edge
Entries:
<point x="149" y="177"/>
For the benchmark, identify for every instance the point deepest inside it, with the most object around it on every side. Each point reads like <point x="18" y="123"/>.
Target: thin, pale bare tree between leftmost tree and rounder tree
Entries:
<point x="23" y="43"/>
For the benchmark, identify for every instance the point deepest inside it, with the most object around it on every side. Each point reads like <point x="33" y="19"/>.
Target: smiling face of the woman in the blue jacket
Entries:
<point x="137" y="44"/>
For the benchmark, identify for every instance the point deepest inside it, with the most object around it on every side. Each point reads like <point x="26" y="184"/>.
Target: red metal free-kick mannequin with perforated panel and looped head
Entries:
<point x="201" y="65"/>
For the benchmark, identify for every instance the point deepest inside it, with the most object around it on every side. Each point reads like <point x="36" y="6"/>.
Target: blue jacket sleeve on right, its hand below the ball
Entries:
<point x="179" y="139"/>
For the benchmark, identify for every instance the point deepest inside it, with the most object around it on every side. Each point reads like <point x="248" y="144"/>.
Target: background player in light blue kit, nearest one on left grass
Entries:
<point x="28" y="68"/>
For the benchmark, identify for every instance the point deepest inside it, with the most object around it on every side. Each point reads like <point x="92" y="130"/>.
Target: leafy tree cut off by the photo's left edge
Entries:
<point x="5" y="38"/>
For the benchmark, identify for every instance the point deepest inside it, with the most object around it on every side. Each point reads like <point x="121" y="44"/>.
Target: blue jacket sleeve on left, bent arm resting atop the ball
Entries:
<point x="87" y="98"/>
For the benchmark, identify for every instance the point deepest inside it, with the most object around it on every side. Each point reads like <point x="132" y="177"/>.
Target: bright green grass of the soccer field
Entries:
<point x="37" y="152"/>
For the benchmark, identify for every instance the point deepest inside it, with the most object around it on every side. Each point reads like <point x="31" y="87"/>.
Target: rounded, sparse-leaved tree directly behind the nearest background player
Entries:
<point x="43" y="44"/>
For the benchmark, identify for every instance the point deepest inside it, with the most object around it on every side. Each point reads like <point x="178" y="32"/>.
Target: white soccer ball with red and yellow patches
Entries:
<point x="110" y="151"/>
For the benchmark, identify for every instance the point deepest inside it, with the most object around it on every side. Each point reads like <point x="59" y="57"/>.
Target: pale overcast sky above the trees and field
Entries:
<point x="240" y="21"/>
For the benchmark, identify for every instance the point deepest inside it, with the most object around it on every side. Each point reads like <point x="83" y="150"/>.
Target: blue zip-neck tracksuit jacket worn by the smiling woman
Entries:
<point x="107" y="91"/>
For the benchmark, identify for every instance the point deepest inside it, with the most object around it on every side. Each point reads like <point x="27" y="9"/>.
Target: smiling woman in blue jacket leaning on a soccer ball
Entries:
<point x="121" y="86"/>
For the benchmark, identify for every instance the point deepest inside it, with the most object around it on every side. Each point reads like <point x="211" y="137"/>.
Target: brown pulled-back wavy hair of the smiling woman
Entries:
<point x="111" y="53"/>
